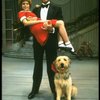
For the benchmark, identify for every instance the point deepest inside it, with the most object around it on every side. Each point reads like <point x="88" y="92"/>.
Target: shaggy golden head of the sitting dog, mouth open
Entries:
<point x="62" y="64"/>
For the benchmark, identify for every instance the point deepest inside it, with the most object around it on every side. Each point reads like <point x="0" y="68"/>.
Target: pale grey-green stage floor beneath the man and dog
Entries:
<point x="17" y="79"/>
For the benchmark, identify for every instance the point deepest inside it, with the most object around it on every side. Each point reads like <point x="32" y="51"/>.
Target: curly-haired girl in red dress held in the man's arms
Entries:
<point x="38" y="27"/>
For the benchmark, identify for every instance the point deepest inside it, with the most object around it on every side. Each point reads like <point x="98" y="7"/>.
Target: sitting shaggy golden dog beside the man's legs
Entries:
<point x="62" y="79"/>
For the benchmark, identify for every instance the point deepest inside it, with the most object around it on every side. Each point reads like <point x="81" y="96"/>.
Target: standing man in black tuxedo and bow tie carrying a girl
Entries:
<point x="46" y="11"/>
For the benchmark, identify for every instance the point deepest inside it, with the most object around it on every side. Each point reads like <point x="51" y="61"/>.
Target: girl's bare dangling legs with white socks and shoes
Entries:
<point x="63" y="37"/>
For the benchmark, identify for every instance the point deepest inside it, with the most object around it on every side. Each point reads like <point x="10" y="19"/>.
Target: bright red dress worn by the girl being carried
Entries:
<point x="40" y="34"/>
